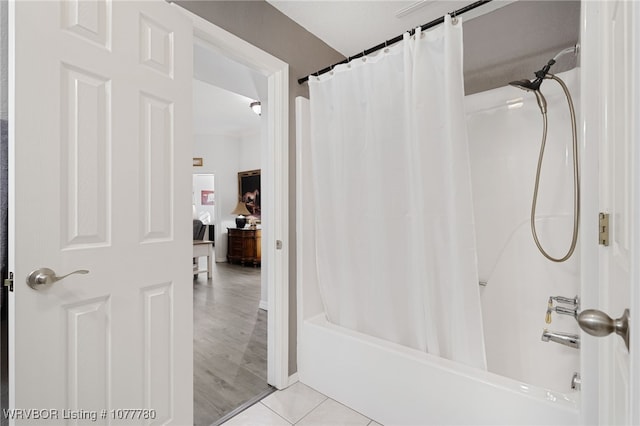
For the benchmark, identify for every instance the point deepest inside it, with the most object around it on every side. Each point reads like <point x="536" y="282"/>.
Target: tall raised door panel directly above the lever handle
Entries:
<point x="85" y="191"/>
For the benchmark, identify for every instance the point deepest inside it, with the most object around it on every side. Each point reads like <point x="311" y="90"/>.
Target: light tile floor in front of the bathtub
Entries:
<point x="299" y="405"/>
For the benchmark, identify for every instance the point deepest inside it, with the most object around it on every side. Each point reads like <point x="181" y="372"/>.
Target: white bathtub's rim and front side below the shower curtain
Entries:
<point x="396" y="385"/>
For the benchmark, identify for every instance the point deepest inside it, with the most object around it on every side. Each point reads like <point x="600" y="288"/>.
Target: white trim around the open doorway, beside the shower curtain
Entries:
<point x="276" y="176"/>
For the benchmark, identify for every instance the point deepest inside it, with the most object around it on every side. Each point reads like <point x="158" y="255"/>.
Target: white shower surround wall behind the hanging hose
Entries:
<point x="504" y="145"/>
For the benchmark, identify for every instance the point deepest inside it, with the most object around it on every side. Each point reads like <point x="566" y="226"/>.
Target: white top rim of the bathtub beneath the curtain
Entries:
<point x="569" y="401"/>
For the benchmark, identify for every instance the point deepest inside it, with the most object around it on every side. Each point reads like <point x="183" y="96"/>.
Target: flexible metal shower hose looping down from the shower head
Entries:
<point x="576" y="179"/>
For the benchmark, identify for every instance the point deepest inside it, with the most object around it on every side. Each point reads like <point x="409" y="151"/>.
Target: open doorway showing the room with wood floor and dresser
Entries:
<point x="230" y="329"/>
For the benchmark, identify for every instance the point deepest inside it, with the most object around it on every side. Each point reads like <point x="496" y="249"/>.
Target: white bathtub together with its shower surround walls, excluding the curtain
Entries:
<point x="528" y="380"/>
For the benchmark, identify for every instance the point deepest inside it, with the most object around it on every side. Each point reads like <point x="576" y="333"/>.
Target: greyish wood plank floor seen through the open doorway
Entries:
<point x="230" y="341"/>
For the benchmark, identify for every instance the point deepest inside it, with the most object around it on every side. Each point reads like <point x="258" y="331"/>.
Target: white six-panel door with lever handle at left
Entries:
<point x="100" y="180"/>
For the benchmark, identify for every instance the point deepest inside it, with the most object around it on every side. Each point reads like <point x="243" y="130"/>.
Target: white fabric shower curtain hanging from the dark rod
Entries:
<point x="394" y="220"/>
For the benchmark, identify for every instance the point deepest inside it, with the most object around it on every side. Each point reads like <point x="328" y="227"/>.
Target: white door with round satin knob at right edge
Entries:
<point x="611" y="377"/>
